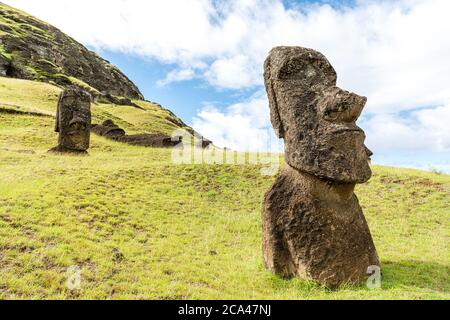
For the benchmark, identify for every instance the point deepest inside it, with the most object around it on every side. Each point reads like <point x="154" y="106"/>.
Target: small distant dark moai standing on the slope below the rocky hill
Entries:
<point x="73" y="121"/>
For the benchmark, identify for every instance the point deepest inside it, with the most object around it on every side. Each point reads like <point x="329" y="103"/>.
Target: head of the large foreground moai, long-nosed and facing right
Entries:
<point x="316" y="119"/>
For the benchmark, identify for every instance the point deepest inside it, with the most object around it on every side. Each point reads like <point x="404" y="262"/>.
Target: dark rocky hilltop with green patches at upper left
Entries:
<point x="34" y="50"/>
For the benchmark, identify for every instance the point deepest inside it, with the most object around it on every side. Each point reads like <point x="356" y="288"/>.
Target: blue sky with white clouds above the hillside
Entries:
<point x="203" y="59"/>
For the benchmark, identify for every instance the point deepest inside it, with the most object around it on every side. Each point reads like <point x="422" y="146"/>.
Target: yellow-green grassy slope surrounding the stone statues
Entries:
<point x="140" y="227"/>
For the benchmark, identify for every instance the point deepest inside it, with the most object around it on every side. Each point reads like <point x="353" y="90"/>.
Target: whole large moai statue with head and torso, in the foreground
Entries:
<point x="313" y="225"/>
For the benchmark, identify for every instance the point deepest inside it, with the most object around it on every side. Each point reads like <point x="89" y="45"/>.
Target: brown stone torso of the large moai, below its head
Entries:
<point x="316" y="230"/>
